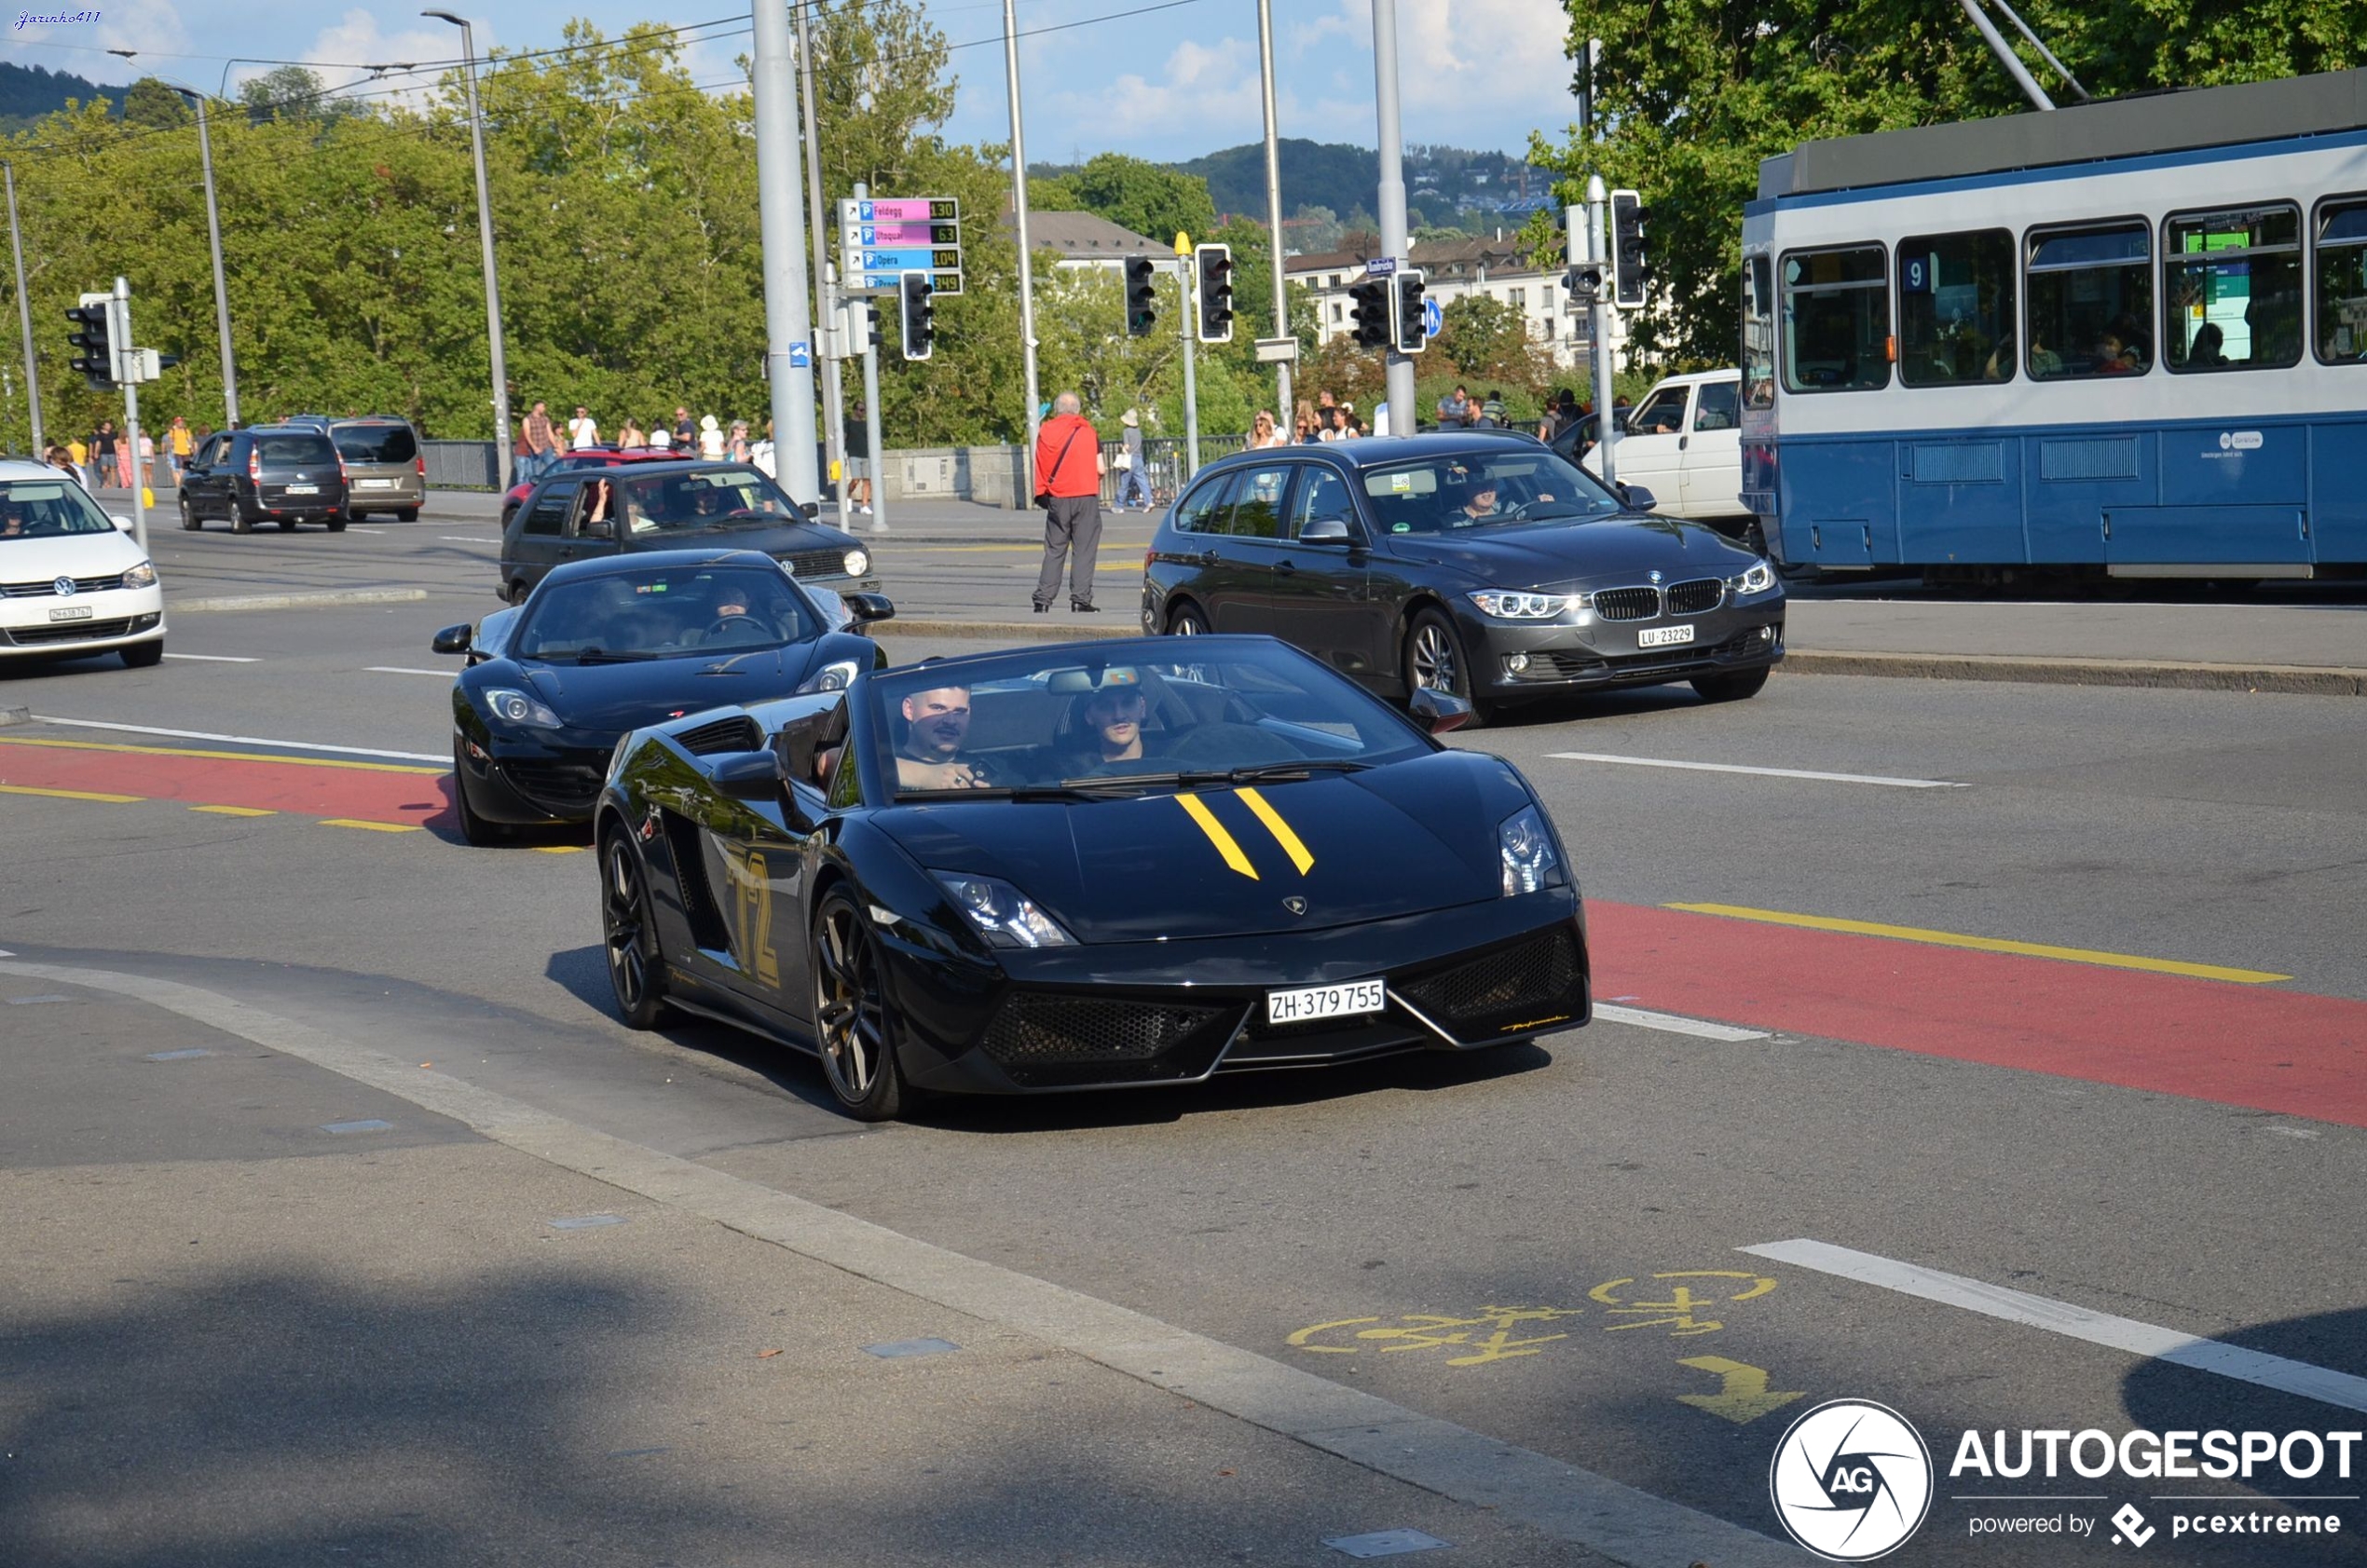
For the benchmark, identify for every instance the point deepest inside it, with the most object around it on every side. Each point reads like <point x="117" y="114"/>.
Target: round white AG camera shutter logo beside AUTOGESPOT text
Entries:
<point x="1852" y="1482"/>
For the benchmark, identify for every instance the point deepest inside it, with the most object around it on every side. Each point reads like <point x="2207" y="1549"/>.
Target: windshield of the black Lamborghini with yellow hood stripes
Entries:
<point x="1121" y="723"/>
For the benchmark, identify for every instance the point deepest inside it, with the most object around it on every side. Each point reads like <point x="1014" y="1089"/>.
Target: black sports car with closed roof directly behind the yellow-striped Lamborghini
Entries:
<point x="607" y="647"/>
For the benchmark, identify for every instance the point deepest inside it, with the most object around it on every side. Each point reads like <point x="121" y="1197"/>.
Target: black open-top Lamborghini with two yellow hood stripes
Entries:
<point x="1085" y="867"/>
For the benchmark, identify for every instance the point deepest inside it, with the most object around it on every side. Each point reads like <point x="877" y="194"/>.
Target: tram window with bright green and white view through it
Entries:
<point x="2233" y="290"/>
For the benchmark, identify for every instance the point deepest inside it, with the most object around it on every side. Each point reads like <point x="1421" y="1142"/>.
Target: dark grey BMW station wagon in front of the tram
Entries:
<point x="1476" y="564"/>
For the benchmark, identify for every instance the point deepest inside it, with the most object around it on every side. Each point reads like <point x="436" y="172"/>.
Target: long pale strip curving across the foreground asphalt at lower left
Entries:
<point x="1540" y="1491"/>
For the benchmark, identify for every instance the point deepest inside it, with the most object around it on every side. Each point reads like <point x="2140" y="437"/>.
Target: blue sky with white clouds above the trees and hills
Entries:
<point x="1168" y="84"/>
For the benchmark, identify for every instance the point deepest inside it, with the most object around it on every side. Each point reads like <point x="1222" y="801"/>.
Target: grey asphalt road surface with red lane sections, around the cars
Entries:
<point x="1994" y="1054"/>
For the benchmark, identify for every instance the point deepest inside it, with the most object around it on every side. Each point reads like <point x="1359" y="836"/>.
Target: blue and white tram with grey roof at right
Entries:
<point x="2124" y="339"/>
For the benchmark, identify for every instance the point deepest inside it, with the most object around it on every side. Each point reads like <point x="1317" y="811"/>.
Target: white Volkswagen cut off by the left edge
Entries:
<point x="72" y="578"/>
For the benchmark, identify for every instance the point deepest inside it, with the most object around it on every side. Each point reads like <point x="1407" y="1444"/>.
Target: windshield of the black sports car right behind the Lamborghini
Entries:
<point x="664" y="614"/>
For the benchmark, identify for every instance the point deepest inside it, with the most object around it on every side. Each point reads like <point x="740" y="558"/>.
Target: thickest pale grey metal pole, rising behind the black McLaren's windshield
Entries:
<point x="789" y="330"/>
